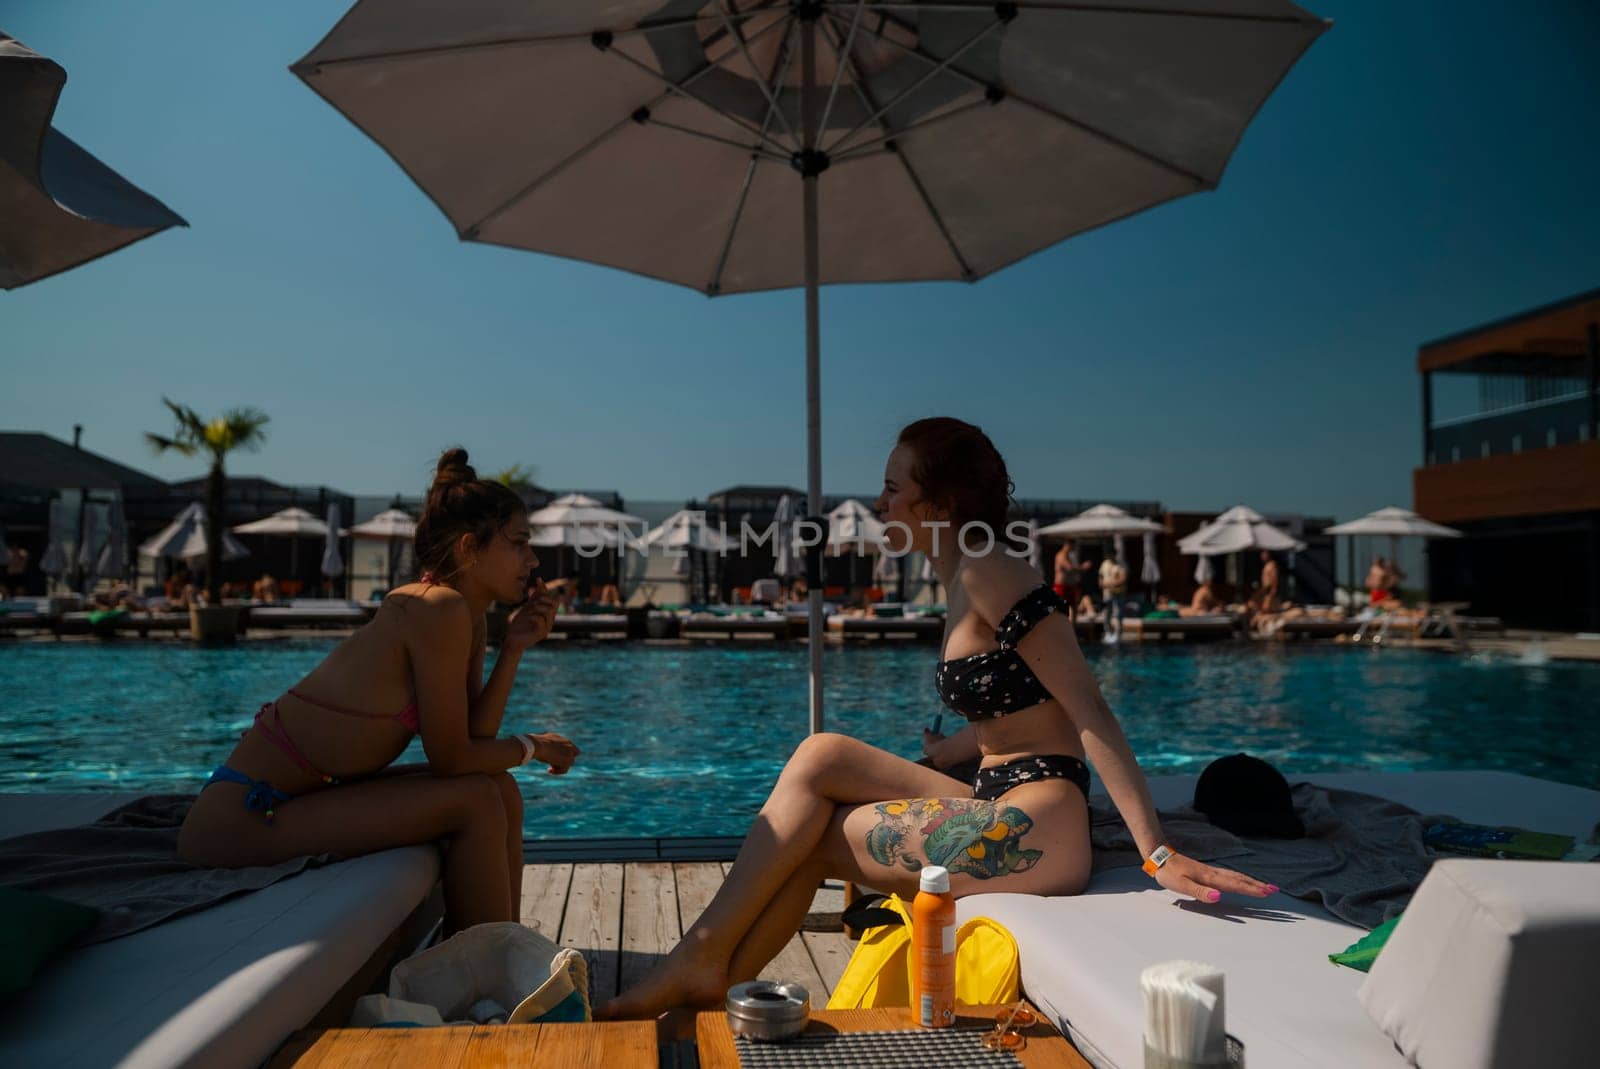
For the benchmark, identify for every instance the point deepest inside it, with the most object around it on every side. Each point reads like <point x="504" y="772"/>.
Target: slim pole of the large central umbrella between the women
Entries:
<point x="814" y="391"/>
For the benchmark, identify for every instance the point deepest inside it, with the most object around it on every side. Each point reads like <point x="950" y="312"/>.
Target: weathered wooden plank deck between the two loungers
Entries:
<point x="625" y="916"/>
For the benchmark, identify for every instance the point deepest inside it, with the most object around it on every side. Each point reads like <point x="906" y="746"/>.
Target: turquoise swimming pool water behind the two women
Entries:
<point x="687" y="742"/>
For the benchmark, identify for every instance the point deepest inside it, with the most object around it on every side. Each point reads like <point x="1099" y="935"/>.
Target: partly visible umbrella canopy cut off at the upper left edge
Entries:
<point x="62" y="207"/>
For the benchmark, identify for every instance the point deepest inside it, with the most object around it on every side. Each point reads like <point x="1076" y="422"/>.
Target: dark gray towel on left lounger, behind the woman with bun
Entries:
<point x="126" y="865"/>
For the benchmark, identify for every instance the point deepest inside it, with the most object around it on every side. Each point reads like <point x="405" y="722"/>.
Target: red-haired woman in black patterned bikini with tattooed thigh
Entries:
<point x="849" y="811"/>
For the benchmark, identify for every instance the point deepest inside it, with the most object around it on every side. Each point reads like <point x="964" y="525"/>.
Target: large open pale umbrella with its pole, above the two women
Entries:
<point x="743" y="145"/>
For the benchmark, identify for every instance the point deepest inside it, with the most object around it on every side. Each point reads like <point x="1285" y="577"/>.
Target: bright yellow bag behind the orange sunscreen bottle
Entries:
<point x="988" y="966"/>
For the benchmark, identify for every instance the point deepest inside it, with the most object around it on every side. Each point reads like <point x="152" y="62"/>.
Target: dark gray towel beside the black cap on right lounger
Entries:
<point x="1362" y="857"/>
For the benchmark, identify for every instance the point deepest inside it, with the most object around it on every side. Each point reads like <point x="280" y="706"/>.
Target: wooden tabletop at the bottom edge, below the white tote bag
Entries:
<point x="614" y="1044"/>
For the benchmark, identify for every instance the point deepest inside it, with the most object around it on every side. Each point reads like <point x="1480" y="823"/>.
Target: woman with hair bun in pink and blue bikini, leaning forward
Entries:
<point x="314" y="774"/>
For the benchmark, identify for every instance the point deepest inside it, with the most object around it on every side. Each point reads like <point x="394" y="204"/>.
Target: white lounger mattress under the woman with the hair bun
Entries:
<point x="218" y="988"/>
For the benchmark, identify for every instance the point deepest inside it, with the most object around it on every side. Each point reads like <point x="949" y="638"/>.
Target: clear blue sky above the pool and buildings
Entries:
<point x="1425" y="169"/>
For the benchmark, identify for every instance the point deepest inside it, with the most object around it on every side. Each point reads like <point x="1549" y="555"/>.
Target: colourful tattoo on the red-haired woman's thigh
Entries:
<point x="982" y="839"/>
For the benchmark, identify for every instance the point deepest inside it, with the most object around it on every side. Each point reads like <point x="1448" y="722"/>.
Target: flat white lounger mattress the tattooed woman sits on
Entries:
<point x="1292" y="1007"/>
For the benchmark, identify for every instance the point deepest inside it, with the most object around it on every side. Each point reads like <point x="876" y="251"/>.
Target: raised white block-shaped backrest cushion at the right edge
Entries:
<point x="1490" y="966"/>
